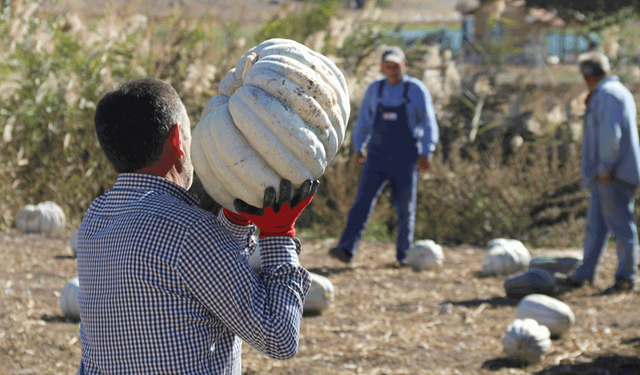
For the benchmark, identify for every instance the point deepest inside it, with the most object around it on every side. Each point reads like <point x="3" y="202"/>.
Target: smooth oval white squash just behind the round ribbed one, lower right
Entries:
<point x="548" y="311"/>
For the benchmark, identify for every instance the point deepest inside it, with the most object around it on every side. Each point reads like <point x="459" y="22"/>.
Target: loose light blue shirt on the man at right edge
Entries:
<point x="610" y="138"/>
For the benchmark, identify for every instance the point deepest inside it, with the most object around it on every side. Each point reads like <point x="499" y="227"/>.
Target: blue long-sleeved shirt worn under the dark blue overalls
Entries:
<point x="422" y="118"/>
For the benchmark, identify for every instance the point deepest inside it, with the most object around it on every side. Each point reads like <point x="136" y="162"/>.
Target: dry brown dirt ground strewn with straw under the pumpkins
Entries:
<point x="384" y="320"/>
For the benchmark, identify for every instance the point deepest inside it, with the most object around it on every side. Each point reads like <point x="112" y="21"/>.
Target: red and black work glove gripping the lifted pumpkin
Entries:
<point x="279" y="218"/>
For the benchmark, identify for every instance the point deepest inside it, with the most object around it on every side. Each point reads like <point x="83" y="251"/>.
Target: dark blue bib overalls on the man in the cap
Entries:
<point x="392" y="152"/>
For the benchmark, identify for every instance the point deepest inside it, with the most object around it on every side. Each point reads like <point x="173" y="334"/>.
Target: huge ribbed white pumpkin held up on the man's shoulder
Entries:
<point x="282" y="112"/>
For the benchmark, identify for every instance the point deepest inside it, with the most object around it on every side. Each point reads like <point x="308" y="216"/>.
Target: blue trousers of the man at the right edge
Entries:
<point x="610" y="211"/>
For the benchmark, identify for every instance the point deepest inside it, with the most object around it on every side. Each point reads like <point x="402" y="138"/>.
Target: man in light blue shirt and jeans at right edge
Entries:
<point x="611" y="170"/>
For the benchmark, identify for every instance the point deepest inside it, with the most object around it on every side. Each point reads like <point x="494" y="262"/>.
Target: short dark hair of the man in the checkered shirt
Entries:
<point x="133" y="121"/>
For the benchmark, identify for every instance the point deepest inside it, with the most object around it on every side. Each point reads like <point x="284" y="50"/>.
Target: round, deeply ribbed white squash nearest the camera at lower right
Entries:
<point x="526" y="340"/>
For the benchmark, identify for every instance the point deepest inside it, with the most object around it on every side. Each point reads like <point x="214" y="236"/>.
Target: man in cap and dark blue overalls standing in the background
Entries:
<point x="397" y="126"/>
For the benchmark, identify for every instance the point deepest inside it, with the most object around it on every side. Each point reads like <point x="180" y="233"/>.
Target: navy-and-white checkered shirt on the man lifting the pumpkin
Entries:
<point x="166" y="287"/>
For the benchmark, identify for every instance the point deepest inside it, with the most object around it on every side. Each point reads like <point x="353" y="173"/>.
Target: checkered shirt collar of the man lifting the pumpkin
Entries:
<point x="148" y="182"/>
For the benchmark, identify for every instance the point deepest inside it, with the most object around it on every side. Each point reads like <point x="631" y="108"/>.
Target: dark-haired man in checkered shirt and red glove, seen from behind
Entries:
<point x="165" y="287"/>
